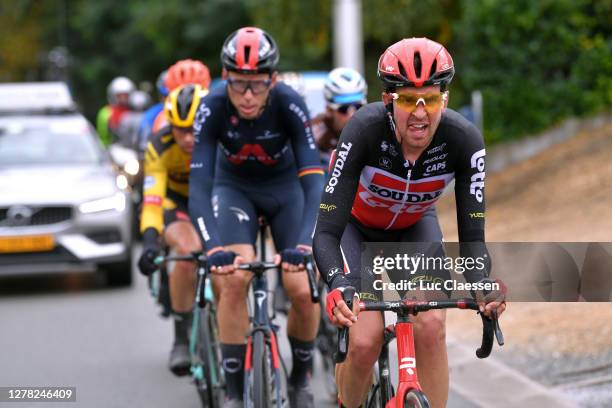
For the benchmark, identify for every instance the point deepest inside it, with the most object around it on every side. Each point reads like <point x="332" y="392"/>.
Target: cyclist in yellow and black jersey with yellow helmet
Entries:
<point x="165" y="219"/>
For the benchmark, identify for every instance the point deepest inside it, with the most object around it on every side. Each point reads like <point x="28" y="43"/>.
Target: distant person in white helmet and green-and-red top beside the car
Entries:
<point x="108" y="118"/>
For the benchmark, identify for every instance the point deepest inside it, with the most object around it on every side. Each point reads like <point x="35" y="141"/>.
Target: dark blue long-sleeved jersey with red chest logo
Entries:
<point x="253" y="151"/>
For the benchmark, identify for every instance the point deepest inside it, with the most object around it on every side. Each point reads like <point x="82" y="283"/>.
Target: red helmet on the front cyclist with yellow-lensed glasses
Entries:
<point x="415" y="62"/>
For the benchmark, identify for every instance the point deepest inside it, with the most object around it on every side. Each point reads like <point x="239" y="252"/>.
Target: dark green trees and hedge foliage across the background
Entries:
<point x="535" y="62"/>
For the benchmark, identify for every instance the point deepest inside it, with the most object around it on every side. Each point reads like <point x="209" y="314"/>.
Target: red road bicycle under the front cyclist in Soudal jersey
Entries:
<point x="409" y="392"/>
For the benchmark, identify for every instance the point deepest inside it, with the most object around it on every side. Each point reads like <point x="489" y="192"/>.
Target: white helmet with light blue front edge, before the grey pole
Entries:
<point x="345" y="86"/>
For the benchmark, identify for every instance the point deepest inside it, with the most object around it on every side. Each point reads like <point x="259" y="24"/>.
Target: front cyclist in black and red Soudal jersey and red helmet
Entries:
<point x="393" y="160"/>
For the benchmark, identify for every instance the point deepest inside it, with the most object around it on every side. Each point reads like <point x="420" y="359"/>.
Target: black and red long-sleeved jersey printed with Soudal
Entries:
<point x="375" y="187"/>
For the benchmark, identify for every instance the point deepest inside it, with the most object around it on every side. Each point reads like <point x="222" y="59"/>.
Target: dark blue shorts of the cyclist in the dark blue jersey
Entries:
<point x="237" y="204"/>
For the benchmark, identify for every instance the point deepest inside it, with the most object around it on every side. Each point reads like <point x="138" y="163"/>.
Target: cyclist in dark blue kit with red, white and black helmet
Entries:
<point x="255" y="155"/>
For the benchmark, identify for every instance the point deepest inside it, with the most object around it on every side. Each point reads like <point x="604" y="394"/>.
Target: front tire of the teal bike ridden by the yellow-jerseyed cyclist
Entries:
<point x="211" y="390"/>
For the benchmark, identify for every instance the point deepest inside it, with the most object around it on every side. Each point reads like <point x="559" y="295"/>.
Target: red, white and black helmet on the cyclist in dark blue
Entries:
<point x="250" y="50"/>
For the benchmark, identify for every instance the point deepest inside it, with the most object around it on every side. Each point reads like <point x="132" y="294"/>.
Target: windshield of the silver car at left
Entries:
<point x="21" y="145"/>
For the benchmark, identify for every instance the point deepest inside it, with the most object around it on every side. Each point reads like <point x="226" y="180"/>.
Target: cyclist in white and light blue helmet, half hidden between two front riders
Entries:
<point x="345" y="92"/>
